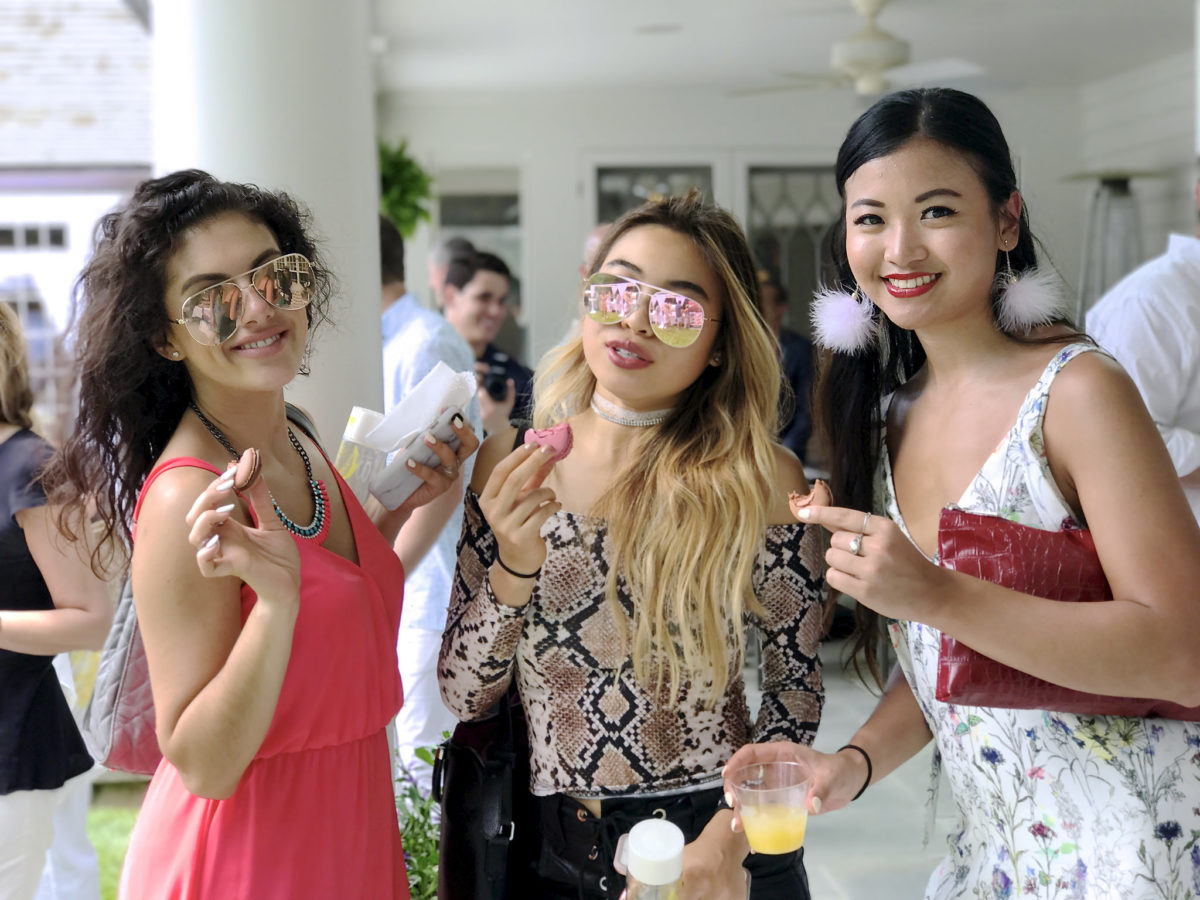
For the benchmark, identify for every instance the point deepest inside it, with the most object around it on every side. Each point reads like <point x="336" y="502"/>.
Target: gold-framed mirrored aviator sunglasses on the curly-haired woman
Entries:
<point x="212" y="315"/>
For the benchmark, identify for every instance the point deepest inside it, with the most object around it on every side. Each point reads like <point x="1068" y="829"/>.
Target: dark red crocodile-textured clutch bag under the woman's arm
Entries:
<point x="1058" y="566"/>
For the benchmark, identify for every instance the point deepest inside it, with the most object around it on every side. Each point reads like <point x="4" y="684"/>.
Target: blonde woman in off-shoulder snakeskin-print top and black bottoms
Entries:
<point x="613" y="585"/>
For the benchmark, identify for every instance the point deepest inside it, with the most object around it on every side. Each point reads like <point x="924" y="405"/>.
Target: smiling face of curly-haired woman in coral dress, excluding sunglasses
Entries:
<point x="268" y="346"/>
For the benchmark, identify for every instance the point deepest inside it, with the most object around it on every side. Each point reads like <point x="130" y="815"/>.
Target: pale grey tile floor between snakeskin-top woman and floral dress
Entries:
<point x="872" y="850"/>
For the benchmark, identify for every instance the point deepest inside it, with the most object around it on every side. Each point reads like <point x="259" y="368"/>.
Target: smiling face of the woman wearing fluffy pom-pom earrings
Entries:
<point x="922" y="235"/>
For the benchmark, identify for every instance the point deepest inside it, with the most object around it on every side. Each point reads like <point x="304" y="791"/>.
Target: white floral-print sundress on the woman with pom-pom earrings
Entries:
<point x="1052" y="805"/>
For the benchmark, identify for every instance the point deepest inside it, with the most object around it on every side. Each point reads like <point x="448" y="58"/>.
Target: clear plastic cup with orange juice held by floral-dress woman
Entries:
<point x="771" y="800"/>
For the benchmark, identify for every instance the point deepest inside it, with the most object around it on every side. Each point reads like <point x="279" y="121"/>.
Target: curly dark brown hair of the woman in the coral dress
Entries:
<point x="131" y="399"/>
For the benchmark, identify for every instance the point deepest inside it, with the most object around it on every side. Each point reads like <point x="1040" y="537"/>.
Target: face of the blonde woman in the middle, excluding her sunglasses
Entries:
<point x="632" y="365"/>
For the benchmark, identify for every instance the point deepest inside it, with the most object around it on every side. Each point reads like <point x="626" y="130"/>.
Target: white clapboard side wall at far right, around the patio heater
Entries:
<point x="1147" y="121"/>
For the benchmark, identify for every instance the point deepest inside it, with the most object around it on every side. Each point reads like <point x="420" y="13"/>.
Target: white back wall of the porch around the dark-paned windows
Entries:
<point x="554" y="139"/>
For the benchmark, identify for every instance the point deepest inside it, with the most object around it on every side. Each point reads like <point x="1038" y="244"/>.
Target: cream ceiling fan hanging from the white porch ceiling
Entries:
<point x="872" y="62"/>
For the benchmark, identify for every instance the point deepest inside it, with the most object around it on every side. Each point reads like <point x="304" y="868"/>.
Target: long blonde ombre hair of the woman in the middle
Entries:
<point x="687" y="513"/>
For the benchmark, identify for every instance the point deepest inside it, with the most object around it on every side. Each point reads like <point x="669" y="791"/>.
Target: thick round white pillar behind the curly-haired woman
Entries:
<point x="280" y="93"/>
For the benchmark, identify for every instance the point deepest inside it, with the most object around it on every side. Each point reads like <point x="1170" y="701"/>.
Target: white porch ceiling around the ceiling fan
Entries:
<point x="737" y="45"/>
